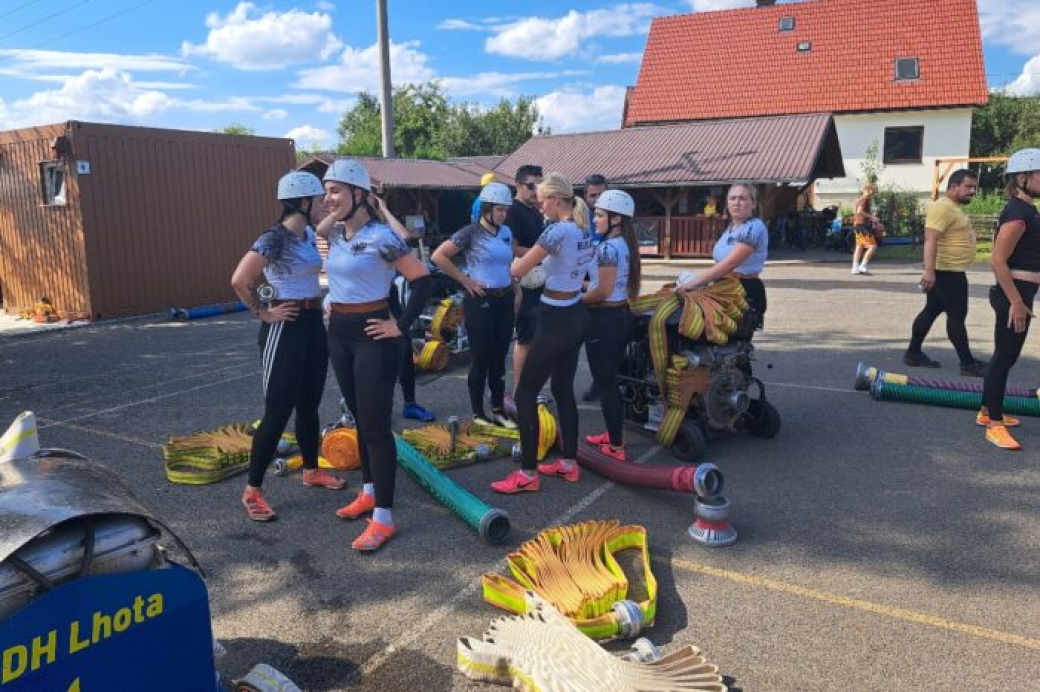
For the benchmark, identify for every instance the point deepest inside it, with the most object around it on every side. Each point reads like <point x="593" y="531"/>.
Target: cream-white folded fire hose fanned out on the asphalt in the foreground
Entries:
<point x="541" y="651"/>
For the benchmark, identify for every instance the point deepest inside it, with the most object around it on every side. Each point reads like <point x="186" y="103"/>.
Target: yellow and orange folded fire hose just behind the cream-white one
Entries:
<point x="574" y="568"/>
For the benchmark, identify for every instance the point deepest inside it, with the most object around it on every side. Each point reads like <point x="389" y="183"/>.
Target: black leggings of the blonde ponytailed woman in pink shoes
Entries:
<point x="553" y="353"/>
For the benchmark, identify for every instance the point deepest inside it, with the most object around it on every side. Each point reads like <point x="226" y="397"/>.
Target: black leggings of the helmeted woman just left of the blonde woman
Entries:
<point x="489" y="325"/>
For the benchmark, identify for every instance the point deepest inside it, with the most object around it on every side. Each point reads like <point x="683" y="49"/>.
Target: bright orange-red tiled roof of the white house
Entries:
<point x="736" y="64"/>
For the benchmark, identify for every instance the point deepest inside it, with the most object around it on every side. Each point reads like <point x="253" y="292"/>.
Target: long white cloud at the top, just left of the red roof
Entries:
<point x="540" y="39"/>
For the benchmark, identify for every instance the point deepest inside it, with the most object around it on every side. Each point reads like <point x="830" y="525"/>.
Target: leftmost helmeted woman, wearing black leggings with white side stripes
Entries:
<point x="293" y="337"/>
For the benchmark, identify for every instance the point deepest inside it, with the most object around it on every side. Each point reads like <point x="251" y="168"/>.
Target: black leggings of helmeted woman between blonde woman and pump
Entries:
<point x="605" y="347"/>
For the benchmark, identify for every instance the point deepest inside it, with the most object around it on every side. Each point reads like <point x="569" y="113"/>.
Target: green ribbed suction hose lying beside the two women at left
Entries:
<point x="492" y="524"/>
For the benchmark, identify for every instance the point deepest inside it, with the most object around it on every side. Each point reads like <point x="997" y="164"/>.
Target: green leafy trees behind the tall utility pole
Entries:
<point x="427" y="125"/>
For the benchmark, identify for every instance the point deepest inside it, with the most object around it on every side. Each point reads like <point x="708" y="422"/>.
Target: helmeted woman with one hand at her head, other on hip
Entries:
<point x="365" y="341"/>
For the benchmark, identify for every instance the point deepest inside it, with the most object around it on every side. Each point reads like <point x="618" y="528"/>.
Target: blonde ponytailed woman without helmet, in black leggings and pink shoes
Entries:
<point x="567" y="250"/>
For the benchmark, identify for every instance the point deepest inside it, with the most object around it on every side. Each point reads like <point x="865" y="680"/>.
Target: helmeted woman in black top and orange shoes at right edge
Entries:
<point x="1017" y="266"/>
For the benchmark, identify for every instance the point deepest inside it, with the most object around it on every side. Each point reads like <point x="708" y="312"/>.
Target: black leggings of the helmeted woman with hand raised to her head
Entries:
<point x="367" y="371"/>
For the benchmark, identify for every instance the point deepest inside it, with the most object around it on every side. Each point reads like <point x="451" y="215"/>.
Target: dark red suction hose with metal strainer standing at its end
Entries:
<point x="711" y="527"/>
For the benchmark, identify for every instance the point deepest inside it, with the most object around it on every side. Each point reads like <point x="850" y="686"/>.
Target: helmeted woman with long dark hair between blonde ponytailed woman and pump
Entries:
<point x="615" y="283"/>
